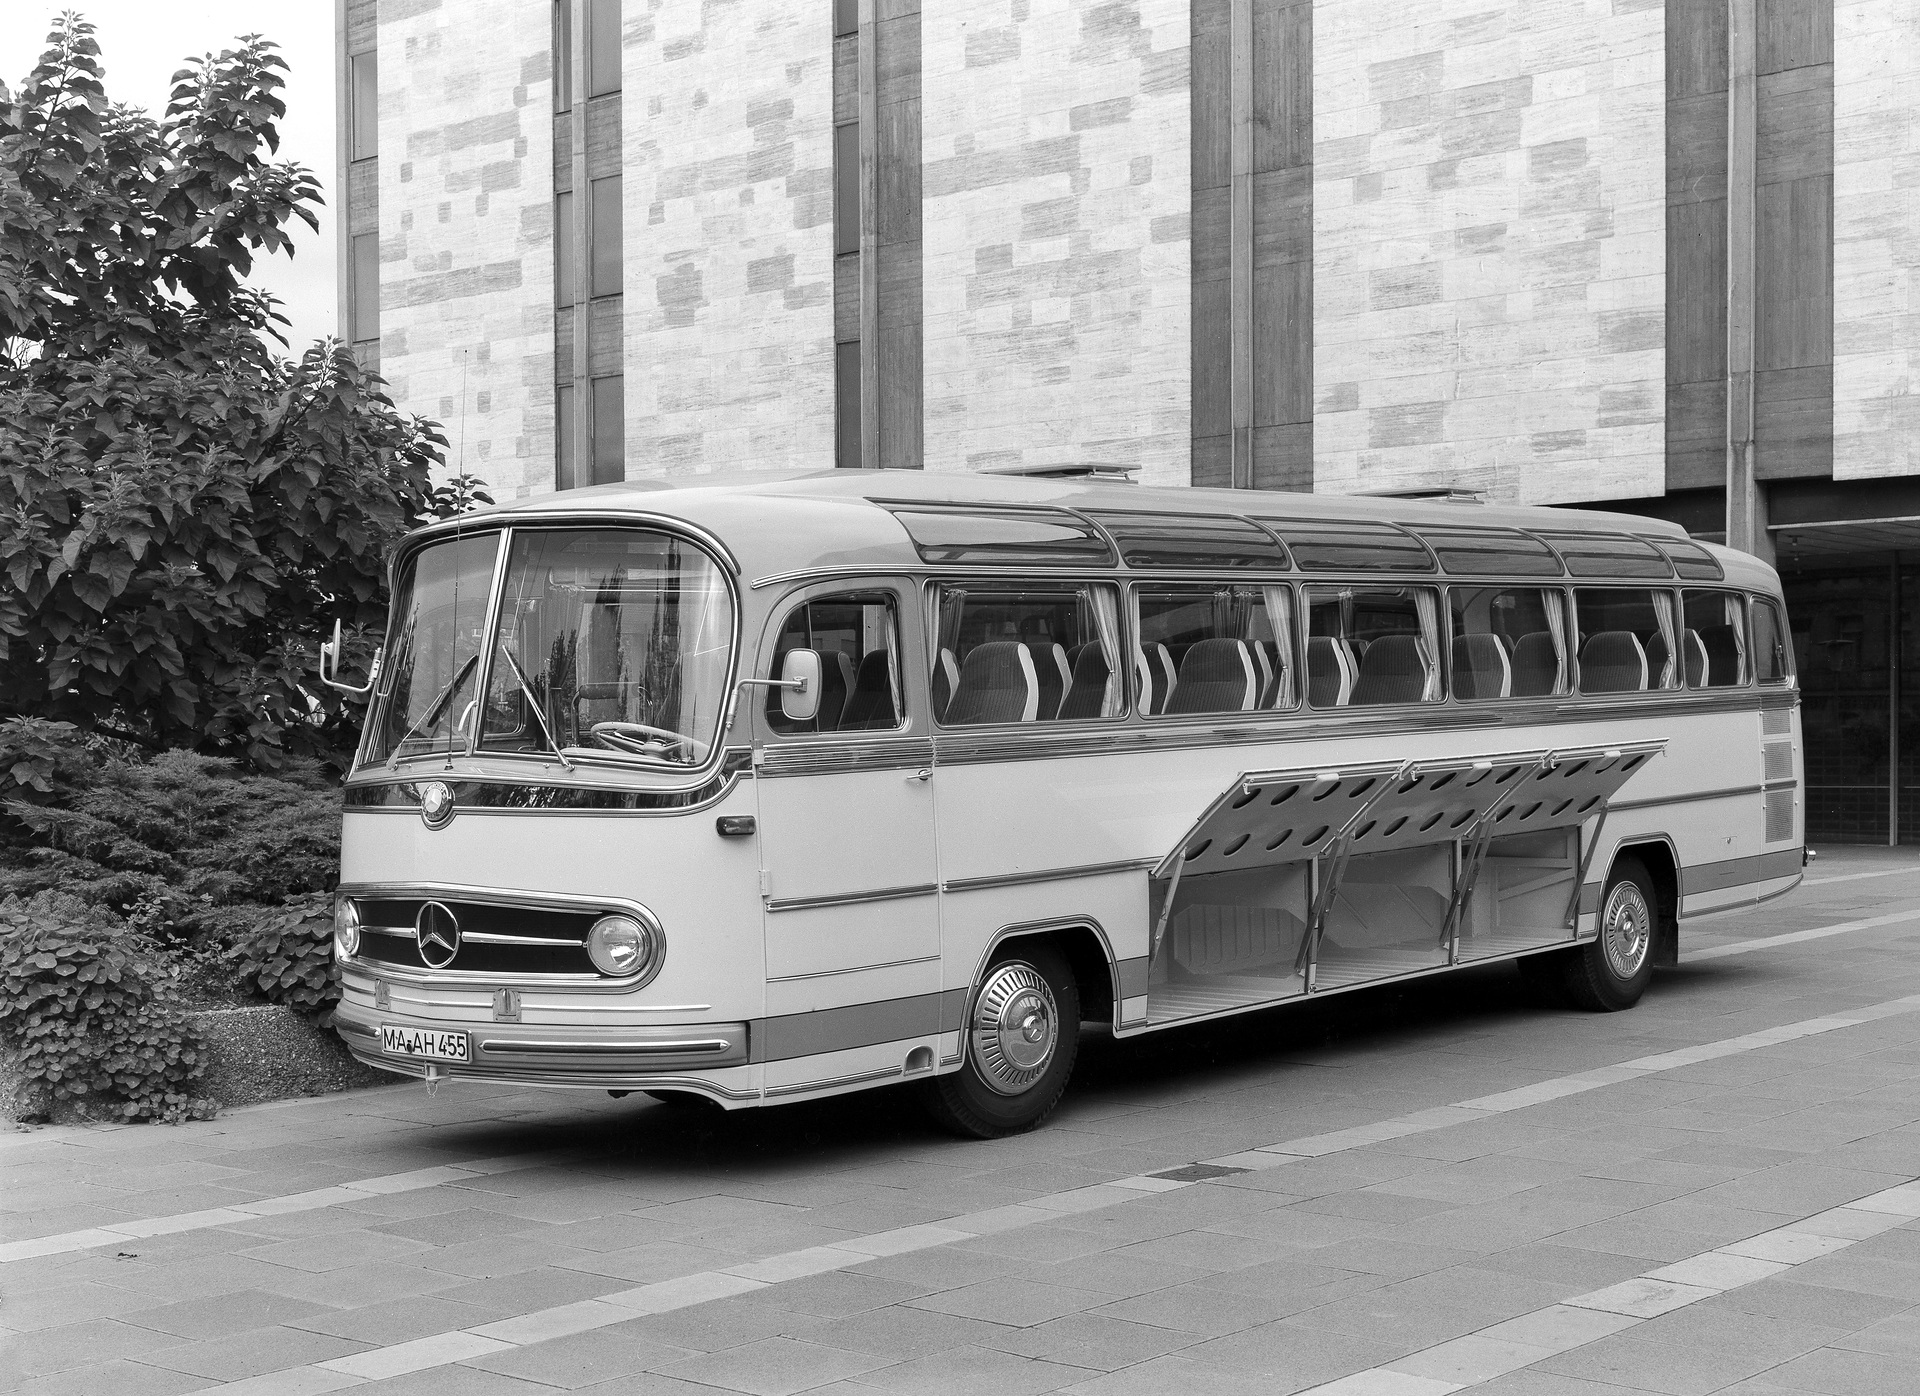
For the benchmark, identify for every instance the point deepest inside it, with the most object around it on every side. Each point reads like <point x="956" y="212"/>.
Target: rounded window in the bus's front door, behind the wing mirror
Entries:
<point x="857" y="640"/>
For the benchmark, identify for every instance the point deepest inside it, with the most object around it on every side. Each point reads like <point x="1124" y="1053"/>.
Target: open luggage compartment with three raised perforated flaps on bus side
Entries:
<point x="1305" y="880"/>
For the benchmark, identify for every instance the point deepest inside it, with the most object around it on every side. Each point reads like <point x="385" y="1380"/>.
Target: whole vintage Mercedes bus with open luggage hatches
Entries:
<point x="786" y="786"/>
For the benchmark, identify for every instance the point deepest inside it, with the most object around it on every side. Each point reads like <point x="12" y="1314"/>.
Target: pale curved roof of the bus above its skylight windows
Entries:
<point x="788" y="521"/>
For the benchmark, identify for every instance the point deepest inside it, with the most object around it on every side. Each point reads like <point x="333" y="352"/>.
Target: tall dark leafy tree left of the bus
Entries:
<point x="183" y="512"/>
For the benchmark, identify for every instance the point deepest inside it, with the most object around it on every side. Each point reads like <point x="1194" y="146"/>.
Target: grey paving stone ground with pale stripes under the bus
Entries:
<point x="1445" y="1188"/>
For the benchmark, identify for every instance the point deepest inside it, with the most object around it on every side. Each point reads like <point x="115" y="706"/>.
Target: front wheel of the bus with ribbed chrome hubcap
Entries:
<point x="1011" y="1082"/>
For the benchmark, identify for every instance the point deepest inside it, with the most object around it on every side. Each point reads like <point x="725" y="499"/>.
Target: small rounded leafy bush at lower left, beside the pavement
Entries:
<point x="84" y="1021"/>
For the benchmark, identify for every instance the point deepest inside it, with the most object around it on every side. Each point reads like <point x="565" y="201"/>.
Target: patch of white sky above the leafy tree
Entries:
<point x="143" y="43"/>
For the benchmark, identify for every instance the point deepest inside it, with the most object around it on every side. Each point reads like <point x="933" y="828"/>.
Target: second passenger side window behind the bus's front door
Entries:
<point x="1214" y="650"/>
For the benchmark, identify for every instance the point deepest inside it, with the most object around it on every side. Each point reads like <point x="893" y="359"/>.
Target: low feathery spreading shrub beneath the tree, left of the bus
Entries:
<point x="174" y="842"/>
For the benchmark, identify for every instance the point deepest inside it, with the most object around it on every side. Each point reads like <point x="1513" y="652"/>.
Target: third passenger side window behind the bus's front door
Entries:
<point x="1374" y="646"/>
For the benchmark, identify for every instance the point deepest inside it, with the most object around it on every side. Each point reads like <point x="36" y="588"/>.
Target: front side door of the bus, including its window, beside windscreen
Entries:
<point x="846" y="829"/>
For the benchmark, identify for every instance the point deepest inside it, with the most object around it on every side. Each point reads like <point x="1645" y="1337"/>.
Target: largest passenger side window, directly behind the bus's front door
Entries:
<point x="1026" y="654"/>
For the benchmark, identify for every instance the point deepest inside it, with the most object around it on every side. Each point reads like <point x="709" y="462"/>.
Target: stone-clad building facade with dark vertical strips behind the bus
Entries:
<point x="1648" y="254"/>
